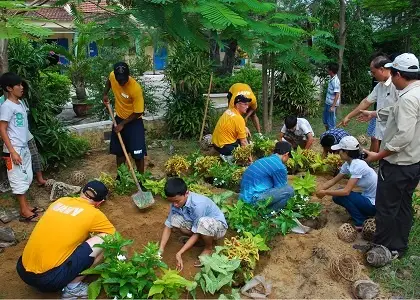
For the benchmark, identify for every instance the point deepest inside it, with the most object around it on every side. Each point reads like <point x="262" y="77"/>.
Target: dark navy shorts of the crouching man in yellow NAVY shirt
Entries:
<point x="57" y="278"/>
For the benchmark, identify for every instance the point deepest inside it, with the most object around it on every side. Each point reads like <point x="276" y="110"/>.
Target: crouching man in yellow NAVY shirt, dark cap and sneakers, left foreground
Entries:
<point x="59" y="248"/>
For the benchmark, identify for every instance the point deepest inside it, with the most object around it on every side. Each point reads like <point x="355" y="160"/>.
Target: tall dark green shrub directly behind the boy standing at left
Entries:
<point x="56" y="144"/>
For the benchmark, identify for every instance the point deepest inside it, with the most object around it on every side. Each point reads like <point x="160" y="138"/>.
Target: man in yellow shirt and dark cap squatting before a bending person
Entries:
<point x="230" y="130"/>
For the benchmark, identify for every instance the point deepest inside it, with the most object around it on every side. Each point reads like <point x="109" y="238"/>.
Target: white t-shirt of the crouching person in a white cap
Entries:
<point x="366" y="175"/>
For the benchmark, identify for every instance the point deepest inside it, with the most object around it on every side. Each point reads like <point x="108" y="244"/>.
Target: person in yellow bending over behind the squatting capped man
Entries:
<point x="244" y="89"/>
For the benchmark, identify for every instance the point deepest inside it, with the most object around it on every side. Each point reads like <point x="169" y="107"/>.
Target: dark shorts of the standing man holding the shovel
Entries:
<point x="133" y="135"/>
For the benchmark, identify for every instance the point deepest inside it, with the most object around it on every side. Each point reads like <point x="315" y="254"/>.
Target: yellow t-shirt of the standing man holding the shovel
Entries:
<point x="128" y="98"/>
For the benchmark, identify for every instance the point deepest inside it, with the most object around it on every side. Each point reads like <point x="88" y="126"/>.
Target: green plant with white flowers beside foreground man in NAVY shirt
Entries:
<point x="121" y="276"/>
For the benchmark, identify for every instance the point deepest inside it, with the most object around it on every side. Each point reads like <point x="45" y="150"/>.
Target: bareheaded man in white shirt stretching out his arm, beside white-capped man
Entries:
<point x="384" y="94"/>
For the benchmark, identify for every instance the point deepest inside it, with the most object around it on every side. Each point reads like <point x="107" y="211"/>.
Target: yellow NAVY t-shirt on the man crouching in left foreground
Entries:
<point x="64" y="226"/>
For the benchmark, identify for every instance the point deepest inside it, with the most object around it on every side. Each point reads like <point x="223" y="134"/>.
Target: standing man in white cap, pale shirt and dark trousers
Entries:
<point x="399" y="156"/>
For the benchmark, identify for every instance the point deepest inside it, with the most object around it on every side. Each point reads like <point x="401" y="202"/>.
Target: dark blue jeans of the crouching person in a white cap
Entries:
<point x="359" y="207"/>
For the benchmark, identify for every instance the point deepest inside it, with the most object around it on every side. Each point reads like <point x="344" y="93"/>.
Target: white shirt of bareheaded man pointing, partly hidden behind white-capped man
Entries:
<point x="384" y="94"/>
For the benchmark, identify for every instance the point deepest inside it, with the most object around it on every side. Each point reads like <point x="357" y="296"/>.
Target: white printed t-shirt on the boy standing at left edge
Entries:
<point x="17" y="118"/>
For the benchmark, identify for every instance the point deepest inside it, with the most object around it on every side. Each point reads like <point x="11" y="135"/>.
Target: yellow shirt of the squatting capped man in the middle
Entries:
<point x="229" y="128"/>
